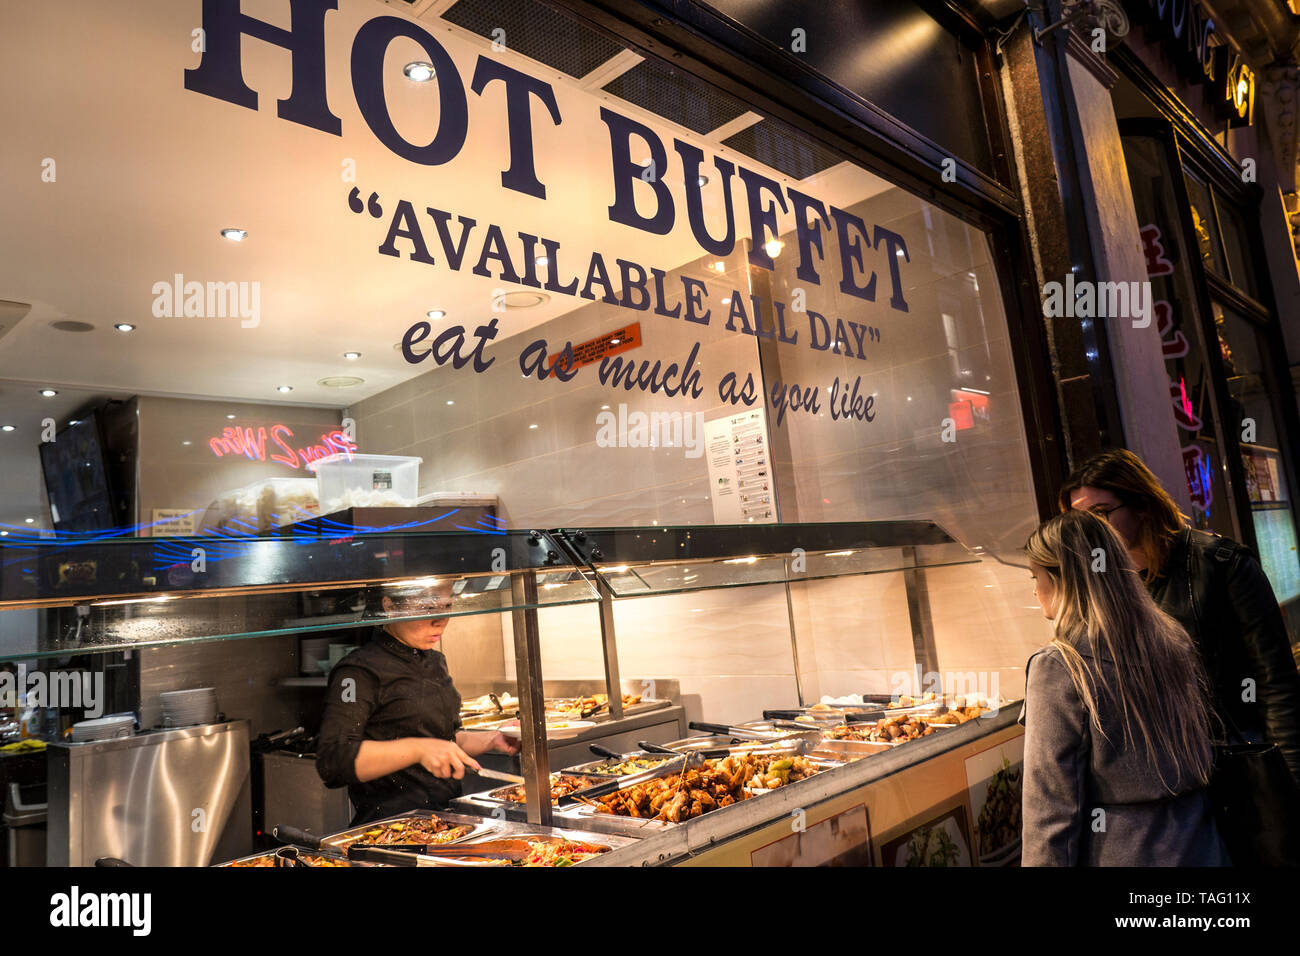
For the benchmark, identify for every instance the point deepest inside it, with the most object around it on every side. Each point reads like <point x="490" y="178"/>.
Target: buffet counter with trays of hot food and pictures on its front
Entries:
<point x="946" y="799"/>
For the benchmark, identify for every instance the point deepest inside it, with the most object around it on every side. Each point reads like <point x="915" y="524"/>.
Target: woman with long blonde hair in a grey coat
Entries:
<point x="1117" y="724"/>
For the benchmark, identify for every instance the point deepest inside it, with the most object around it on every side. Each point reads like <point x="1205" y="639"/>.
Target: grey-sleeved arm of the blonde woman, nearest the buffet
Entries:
<point x="1055" y="747"/>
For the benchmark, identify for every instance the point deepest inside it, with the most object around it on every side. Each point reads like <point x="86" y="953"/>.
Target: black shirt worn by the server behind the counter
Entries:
<point x="398" y="693"/>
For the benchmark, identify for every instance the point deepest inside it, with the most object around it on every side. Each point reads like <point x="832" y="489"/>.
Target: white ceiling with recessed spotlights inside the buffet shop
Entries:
<point x="149" y="174"/>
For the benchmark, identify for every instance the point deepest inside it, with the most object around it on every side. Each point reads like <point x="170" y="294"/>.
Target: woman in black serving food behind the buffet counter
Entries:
<point x="392" y="725"/>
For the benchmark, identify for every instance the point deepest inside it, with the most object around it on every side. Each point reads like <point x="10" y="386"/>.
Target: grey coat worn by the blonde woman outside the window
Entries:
<point x="1089" y="802"/>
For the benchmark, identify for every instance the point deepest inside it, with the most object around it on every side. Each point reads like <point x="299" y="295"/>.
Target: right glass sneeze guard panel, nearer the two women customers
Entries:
<point x="638" y="563"/>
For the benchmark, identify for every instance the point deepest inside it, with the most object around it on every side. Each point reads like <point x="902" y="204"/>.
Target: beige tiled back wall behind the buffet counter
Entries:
<point x="733" y="650"/>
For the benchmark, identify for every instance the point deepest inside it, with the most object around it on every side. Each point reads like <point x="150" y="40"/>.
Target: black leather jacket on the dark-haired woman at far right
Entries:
<point x="1216" y="590"/>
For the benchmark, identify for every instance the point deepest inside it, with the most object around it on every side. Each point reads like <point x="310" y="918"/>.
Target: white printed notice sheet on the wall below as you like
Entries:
<point x="740" y="470"/>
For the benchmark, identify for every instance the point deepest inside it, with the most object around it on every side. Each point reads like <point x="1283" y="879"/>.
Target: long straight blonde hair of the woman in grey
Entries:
<point x="1159" y="684"/>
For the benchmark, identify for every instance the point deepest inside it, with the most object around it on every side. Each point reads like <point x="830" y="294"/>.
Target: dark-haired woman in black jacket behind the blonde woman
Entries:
<point x="1214" y="587"/>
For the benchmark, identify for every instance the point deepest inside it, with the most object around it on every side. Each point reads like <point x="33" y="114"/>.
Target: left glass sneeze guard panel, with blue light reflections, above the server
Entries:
<point x="63" y="598"/>
